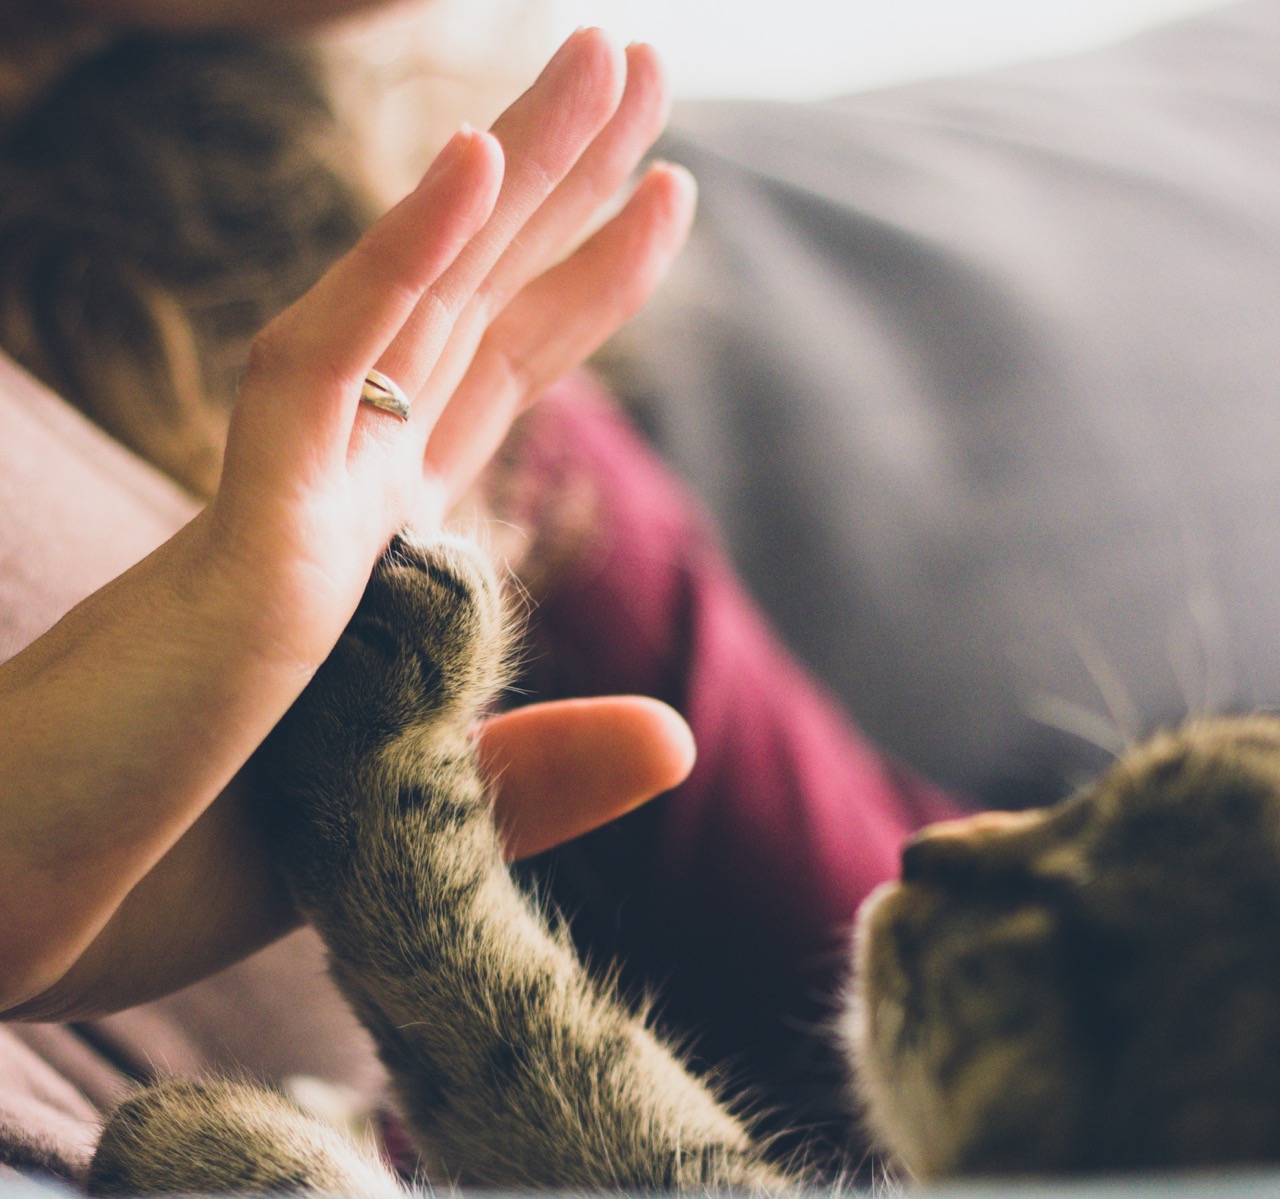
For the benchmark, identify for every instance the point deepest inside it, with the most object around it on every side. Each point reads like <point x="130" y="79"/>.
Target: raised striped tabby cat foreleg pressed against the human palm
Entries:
<point x="514" y="1068"/>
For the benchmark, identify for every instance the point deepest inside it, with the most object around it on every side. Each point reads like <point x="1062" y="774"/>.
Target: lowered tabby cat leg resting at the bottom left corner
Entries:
<point x="211" y="1138"/>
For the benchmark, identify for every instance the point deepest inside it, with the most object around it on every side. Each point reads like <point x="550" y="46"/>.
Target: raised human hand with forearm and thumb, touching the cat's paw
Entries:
<point x="122" y="872"/>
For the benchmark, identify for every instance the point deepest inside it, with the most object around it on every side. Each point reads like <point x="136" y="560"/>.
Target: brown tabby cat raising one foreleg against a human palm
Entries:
<point x="1094" y="987"/>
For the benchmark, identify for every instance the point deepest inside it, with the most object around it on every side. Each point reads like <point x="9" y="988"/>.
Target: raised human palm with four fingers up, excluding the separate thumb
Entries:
<point x="454" y="295"/>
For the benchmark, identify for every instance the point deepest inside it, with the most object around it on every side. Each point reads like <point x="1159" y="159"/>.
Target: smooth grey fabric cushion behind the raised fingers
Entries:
<point x="982" y="379"/>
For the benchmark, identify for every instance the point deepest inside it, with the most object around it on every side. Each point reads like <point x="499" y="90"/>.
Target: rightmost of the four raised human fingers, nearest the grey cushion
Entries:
<point x="560" y="319"/>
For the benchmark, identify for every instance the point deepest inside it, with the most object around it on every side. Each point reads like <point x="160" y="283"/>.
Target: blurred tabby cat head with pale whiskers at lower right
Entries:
<point x="1089" y="987"/>
